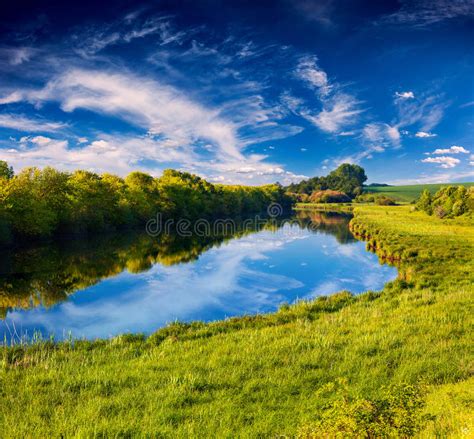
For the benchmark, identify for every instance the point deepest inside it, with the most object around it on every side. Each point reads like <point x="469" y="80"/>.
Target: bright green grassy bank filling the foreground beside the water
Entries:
<point x="394" y="363"/>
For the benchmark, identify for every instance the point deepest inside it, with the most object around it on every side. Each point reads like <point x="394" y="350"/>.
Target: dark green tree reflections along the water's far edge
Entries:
<point x="48" y="274"/>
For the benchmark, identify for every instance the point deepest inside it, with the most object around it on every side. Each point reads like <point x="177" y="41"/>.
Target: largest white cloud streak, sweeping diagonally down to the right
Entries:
<point x="160" y="109"/>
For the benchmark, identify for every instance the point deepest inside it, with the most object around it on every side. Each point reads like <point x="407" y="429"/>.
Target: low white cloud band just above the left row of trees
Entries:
<point x="124" y="154"/>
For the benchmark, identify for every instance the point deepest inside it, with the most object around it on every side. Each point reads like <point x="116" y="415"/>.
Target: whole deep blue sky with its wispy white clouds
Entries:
<point x="239" y="92"/>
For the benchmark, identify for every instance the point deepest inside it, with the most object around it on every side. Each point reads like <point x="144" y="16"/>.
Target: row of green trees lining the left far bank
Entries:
<point x="41" y="203"/>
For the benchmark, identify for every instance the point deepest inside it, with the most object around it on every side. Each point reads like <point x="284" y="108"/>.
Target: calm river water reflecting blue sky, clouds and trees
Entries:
<point x="136" y="283"/>
